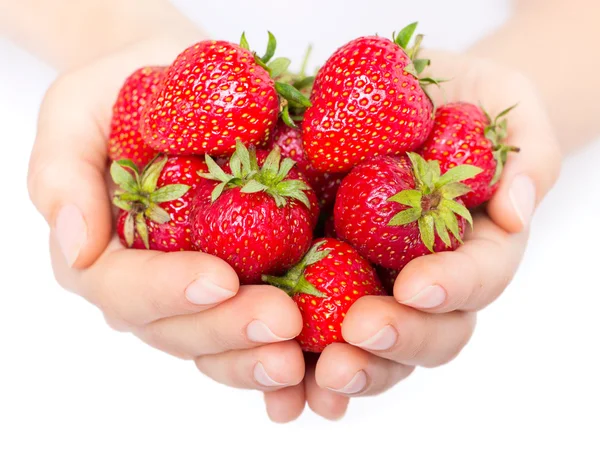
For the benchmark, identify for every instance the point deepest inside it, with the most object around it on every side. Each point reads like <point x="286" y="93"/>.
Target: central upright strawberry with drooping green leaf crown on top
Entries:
<point x="256" y="213"/>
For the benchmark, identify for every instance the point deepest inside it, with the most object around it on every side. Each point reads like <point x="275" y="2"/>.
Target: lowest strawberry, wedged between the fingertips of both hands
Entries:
<point x="328" y="280"/>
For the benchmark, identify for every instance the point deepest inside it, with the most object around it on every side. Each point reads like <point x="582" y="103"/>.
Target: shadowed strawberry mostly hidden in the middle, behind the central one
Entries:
<point x="325" y="185"/>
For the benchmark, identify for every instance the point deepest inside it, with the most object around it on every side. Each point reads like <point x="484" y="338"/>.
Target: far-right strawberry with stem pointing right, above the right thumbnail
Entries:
<point x="465" y="134"/>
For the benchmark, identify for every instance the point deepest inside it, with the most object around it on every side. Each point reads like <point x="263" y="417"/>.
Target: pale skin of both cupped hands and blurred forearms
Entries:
<point x="191" y="305"/>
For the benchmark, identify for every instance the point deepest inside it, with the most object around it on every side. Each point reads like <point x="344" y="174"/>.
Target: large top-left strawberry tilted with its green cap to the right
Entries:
<point x="215" y="93"/>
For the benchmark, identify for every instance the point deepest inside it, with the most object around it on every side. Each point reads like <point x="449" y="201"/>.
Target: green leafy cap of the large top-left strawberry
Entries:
<point x="289" y="90"/>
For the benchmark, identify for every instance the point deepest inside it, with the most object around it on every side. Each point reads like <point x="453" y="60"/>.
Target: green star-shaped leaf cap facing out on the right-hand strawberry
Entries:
<point x="433" y="201"/>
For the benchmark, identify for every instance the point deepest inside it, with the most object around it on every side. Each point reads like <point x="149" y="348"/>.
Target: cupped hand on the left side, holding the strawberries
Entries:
<point x="188" y="304"/>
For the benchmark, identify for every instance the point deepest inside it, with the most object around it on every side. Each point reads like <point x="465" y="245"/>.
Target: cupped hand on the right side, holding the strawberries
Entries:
<point x="436" y="297"/>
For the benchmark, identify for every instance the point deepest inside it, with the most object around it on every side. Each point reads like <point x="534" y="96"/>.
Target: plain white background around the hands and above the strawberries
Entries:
<point x="529" y="378"/>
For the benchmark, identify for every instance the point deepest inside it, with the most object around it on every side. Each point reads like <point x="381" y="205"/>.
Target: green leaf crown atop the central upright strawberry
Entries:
<point x="246" y="174"/>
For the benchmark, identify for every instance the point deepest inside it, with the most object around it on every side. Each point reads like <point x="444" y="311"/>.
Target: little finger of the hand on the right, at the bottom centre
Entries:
<point x="324" y="402"/>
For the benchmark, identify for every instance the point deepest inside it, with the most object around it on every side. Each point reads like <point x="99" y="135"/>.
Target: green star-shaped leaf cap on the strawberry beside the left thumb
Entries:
<point x="139" y="196"/>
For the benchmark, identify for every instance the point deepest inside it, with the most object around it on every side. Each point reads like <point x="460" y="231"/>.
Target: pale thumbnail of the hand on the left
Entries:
<point x="71" y="232"/>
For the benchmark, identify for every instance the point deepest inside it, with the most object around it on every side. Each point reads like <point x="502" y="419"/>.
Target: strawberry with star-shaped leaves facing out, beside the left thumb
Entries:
<point x="156" y="203"/>
